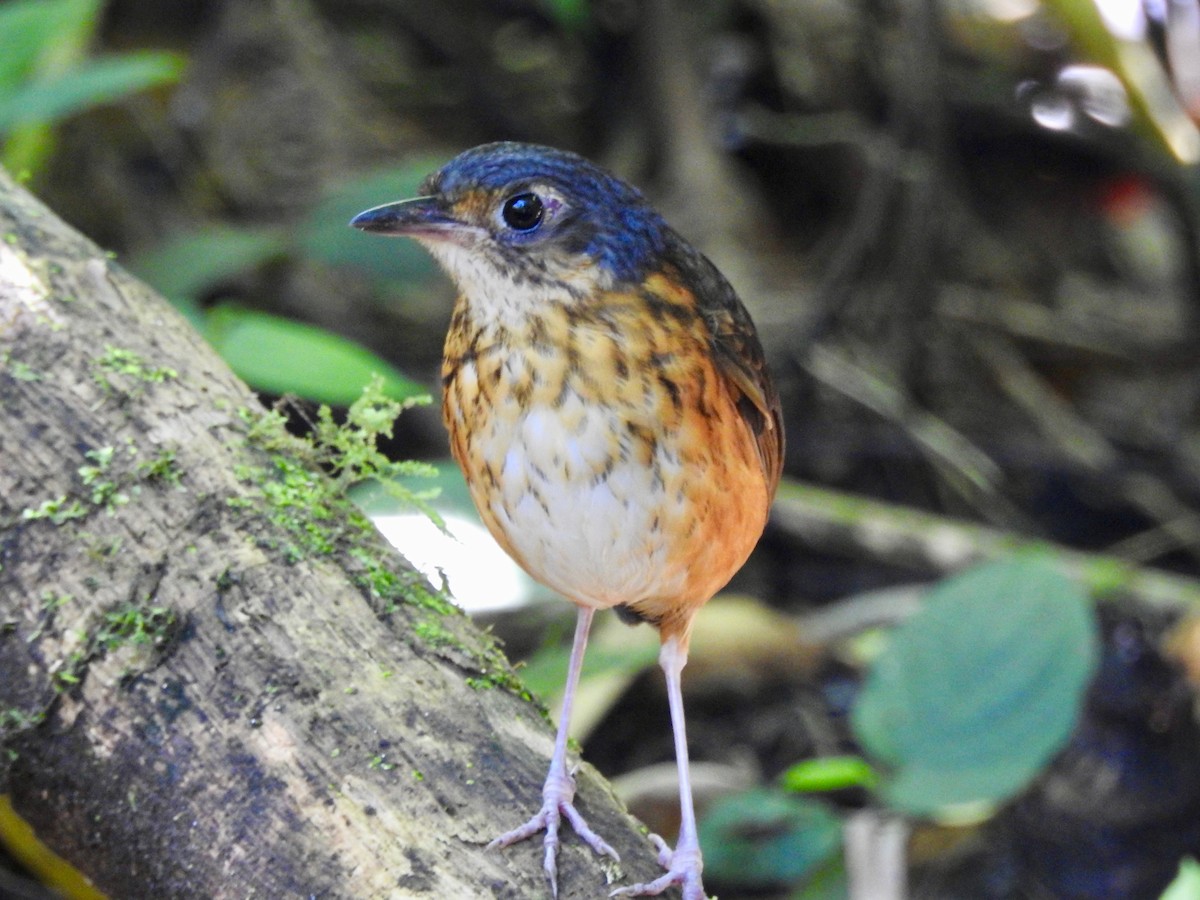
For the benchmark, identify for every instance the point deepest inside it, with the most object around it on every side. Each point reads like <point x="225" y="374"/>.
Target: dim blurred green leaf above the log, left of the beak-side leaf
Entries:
<point x="189" y="266"/>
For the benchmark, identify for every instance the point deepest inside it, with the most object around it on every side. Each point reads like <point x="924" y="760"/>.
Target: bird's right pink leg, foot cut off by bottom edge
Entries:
<point x="685" y="863"/>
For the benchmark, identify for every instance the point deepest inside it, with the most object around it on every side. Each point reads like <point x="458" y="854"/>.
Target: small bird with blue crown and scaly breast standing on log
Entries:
<point x="610" y="405"/>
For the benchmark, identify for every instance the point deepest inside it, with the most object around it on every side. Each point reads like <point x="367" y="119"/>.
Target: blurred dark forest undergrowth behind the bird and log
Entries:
<point x="968" y="232"/>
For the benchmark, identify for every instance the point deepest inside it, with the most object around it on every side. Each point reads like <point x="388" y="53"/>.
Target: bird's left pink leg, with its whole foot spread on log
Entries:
<point x="559" y="793"/>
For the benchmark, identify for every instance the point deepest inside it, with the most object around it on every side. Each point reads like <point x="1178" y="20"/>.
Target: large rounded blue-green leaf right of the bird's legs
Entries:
<point x="980" y="689"/>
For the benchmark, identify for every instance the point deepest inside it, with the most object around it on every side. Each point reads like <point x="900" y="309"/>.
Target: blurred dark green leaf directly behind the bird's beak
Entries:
<point x="325" y="235"/>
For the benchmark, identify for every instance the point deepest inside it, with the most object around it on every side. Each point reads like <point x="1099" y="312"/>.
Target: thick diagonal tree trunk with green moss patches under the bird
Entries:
<point x="214" y="680"/>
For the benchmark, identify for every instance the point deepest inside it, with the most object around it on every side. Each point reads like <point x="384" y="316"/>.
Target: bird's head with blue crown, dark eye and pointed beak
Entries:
<point x="519" y="218"/>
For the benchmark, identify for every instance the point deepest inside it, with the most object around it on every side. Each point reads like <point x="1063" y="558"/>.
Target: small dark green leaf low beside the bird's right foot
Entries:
<point x="763" y="839"/>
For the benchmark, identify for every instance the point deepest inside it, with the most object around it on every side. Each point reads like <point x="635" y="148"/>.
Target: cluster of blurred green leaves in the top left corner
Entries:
<point x="46" y="73"/>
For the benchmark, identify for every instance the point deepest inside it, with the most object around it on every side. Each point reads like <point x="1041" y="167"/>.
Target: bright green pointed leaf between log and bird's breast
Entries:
<point x="279" y="356"/>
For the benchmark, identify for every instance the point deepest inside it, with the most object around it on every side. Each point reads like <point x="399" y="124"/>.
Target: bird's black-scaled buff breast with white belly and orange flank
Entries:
<point x="605" y="452"/>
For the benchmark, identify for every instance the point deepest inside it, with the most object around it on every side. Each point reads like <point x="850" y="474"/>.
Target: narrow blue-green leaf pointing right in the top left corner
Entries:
<point x="94" y="83"/>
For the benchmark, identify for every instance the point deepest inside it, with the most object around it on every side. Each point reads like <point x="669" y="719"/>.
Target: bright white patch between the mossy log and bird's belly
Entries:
<point x="481" y="574"/>
